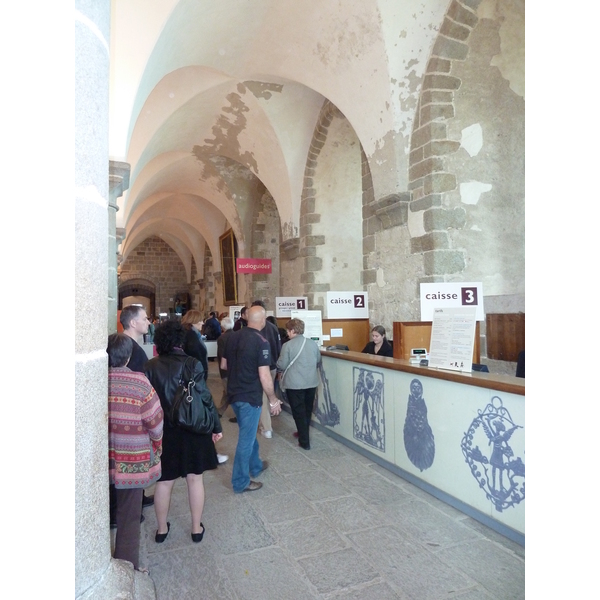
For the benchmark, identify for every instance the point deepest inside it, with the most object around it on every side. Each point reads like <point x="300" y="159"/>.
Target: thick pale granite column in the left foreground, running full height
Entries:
<point x="97" y="575"/>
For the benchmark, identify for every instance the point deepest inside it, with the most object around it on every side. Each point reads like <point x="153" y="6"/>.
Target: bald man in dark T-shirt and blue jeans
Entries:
<point x="246" y="355"/>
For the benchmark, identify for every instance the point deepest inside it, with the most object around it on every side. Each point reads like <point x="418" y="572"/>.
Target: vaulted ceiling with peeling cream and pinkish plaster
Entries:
<point x="210" y="98"/>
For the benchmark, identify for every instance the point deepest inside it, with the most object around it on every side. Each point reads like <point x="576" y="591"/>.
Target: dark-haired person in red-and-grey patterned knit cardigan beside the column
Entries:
<point x="135" y="428"/>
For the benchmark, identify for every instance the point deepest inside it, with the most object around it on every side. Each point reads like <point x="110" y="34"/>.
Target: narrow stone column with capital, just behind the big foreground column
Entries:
<point x="118" y="183"/>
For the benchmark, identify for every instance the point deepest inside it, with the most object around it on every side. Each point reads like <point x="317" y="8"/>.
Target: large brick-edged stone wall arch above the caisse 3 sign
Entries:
<point x="463" y="208"/>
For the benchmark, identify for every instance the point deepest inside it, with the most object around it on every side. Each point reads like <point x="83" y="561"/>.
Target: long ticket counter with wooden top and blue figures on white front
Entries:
<point x="458" y="436"/>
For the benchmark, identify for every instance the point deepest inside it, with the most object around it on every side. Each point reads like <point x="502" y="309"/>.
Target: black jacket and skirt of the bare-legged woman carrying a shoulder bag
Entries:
<point x="184" y="452"/>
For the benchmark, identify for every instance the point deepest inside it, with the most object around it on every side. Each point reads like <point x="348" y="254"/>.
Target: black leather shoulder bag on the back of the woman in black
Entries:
<point x="192" y="407"/>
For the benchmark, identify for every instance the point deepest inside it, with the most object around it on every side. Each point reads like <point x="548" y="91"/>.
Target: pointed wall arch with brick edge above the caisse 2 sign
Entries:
<point x="333" y="171"/>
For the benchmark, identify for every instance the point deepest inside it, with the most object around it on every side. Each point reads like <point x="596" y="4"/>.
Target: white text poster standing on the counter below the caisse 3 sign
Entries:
<point x="452" y="338"/>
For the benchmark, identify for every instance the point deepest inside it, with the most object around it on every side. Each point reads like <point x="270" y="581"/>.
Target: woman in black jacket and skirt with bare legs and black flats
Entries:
<point x="185" y="454"/>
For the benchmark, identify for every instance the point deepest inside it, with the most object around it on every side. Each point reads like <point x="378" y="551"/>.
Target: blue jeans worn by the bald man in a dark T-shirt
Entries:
<point x="246" y="463"/>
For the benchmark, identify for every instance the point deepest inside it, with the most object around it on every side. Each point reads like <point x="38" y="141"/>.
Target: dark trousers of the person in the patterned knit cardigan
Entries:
<point x="129" y="512"/>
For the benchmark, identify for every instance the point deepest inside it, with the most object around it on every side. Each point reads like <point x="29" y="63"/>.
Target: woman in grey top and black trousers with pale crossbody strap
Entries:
<point x="298" y="363"/>
